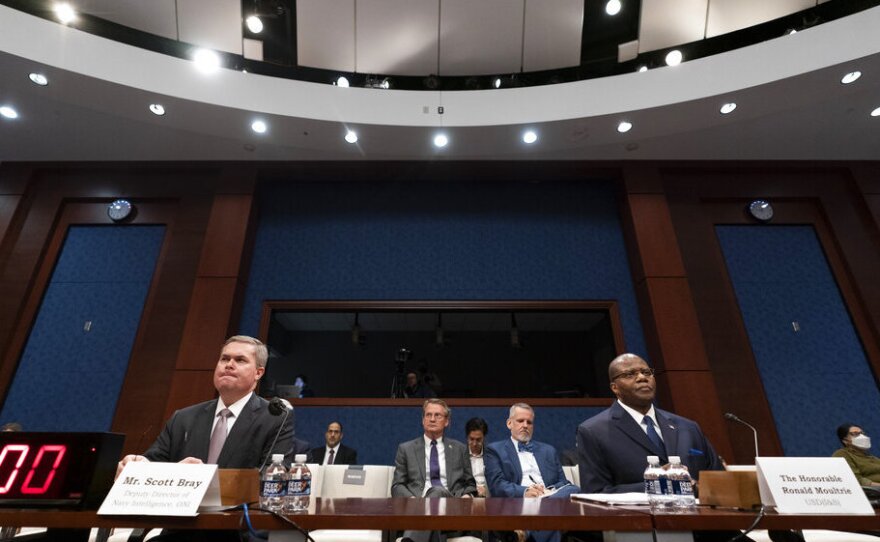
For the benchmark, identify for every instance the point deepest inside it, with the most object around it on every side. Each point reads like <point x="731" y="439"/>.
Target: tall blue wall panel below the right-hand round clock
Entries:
<point x="815" y="378"/>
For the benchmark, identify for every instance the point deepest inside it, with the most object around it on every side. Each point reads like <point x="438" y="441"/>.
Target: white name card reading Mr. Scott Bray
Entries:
<point x="162" y="489"/>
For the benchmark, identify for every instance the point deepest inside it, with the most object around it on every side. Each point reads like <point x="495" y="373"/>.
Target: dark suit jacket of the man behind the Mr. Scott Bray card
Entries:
<point x="188" y="433"/>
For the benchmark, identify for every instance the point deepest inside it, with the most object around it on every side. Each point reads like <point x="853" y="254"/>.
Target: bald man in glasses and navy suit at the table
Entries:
<point x="613" y="445"/>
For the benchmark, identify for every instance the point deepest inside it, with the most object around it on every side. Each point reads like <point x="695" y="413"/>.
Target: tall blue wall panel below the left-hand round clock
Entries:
<point x="103" y="275"/>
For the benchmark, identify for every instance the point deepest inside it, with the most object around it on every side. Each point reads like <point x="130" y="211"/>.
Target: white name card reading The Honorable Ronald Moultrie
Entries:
<point x="810" y="485"/>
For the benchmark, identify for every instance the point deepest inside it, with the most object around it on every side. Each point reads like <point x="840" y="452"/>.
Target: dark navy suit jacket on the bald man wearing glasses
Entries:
<point x="612" y="449"/>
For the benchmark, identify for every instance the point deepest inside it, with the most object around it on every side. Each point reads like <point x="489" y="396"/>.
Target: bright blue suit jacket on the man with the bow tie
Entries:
<point x="504" y="473"/>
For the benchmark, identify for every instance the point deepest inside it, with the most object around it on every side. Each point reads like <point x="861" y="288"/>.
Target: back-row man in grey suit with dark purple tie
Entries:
<point x="432" y="465"/>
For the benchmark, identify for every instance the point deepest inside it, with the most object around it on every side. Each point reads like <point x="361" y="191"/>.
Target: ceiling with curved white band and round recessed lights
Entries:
<point x="791" y="104"/>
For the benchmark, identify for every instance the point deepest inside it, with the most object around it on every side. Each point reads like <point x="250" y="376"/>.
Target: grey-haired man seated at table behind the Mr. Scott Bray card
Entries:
<point x="234" y="431"/>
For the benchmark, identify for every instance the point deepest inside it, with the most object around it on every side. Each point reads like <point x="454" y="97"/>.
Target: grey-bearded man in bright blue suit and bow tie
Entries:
<point x="521" y="467"/>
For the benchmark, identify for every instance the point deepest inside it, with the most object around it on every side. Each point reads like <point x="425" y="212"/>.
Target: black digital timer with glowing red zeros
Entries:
<point x="57" y="469"/>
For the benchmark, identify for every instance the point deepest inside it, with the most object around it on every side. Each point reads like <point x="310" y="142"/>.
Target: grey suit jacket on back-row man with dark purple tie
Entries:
<point x="409" y="469"/>
